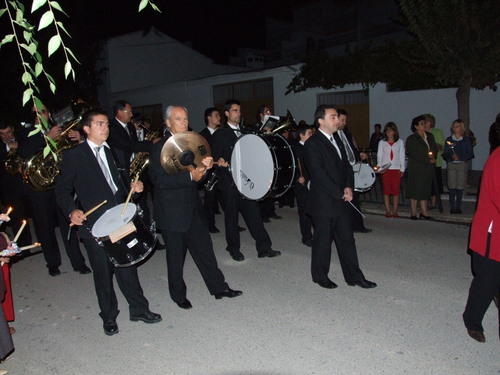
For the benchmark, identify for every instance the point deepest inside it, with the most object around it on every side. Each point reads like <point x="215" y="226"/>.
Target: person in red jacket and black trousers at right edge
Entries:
<point x="485" y="246"/>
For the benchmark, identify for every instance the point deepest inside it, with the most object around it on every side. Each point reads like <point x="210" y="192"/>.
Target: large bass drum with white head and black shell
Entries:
<point x="262" y="166"/>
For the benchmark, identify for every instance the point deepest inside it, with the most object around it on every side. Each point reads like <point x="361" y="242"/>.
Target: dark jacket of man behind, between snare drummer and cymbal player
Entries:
<point x="124" y="142"/>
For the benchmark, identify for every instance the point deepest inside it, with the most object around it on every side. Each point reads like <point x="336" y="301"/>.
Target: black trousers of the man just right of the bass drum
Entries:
<point x="338" y="228"/>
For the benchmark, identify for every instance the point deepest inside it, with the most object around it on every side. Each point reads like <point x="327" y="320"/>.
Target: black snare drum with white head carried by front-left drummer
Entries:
<point x="126" y="239"/>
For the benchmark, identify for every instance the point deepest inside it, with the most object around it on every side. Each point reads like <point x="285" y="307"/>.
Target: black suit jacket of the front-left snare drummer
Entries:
<point x="81" y="174"/>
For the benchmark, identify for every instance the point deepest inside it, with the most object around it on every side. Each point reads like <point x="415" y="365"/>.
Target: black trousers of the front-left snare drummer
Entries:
<point x="126" y="277"/>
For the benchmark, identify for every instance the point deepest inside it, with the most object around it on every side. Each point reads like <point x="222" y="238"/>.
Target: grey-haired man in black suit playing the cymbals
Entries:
<point x="179" y="214"/>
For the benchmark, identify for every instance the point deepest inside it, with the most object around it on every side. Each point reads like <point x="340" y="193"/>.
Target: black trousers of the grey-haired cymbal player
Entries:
<point x="197" y="240"/>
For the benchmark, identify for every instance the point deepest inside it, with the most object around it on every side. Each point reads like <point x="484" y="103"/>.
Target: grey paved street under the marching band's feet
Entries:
<point x="283" y="324"/>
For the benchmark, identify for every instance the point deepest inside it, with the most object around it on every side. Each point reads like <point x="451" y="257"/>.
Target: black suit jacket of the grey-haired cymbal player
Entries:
<point x="176" y="198"/>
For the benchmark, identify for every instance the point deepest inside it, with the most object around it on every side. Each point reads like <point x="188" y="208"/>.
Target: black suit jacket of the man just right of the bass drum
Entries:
<point x="329" y="175"/>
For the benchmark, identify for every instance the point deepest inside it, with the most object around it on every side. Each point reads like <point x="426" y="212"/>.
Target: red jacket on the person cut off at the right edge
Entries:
<point x="488" y="211"/>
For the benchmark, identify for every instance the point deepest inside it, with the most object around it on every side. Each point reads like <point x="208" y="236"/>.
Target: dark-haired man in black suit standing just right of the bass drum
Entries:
<point x="332" y="181"/>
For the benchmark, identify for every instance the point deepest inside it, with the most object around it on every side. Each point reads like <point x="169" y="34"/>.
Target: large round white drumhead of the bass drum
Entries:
<point x="252" y="166"/>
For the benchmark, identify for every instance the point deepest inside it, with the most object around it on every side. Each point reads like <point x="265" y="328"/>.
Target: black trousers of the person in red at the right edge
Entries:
<point x="484" y="286"/>
